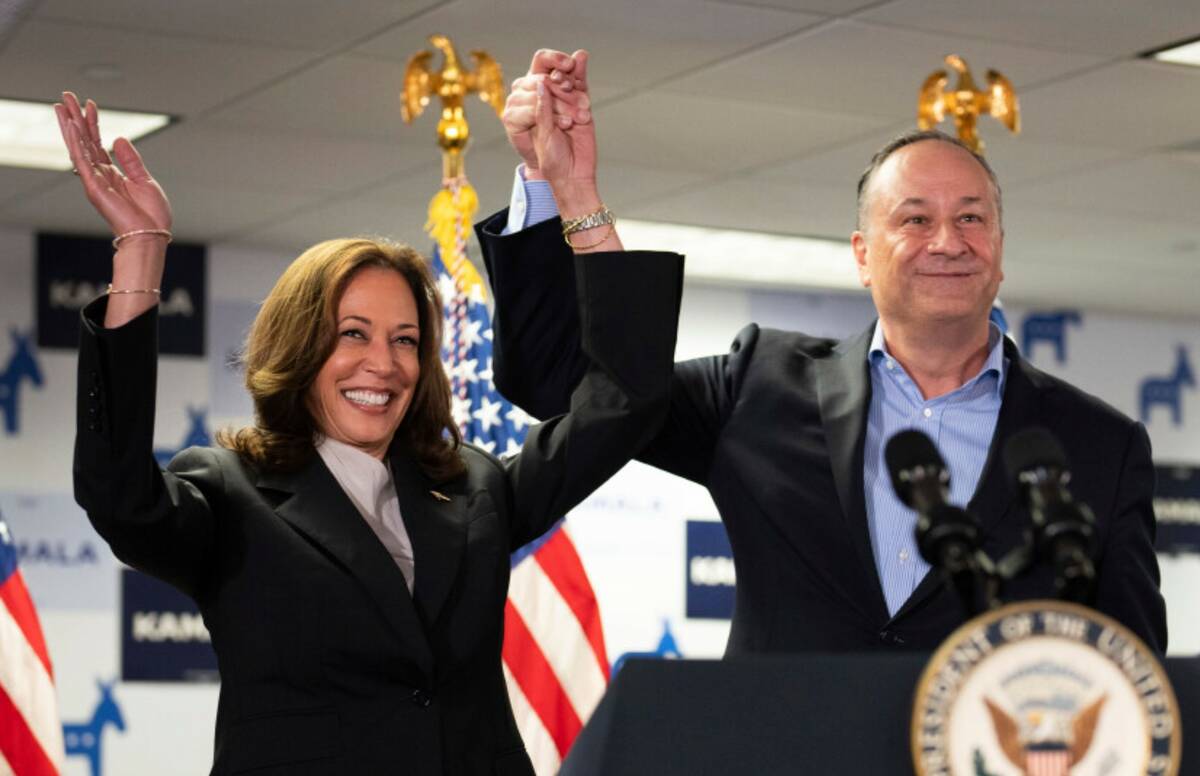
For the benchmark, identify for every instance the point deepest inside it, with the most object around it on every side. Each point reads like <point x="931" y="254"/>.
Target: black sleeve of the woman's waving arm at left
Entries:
<point x="159" y="522"/>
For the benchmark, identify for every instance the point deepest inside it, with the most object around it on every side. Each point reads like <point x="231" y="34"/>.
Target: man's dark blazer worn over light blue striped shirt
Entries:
<point x="776" y="431"/>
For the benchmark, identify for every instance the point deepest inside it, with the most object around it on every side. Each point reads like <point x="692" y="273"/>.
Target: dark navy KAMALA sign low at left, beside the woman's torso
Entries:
<point x="164" y="637"/>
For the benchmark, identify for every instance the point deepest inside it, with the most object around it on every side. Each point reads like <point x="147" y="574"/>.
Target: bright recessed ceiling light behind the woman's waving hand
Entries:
<point x="31" y="136"/>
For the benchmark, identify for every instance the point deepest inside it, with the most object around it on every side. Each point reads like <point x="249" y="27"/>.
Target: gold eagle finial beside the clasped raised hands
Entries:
<point x="452" y="85"/>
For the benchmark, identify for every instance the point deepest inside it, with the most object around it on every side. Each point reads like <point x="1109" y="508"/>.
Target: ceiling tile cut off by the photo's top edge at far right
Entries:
<point x="1114" y="29"/>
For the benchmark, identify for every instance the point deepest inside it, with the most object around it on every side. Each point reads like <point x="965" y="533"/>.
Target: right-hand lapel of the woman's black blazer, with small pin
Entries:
<point x="437" y="530"/>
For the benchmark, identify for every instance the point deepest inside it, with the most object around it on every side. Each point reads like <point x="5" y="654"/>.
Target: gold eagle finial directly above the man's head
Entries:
<point x="967" y="103"/>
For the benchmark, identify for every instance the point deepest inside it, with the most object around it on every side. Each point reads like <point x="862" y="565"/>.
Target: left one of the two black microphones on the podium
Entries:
<point x="947" y="537"/>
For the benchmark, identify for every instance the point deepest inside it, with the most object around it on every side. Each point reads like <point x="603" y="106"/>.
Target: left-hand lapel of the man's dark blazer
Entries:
<point x="844" y="389"/>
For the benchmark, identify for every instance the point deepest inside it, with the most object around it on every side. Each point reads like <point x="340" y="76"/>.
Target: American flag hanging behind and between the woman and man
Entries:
<point x="555" y="659"/>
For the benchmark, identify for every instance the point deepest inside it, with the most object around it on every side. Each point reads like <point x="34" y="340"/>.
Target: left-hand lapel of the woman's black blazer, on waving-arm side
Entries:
<point x="321" y="510"/>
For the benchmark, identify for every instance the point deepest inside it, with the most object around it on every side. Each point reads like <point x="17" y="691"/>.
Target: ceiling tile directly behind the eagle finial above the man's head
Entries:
<point x="862" y="69"/>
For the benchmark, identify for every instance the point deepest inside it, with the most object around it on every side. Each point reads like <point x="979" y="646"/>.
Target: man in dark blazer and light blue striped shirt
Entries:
<point x="788" y="431"/>
